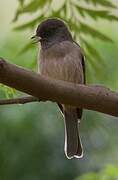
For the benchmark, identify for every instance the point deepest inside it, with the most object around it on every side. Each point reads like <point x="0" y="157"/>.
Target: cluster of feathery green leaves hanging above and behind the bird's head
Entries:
<point x="78" y="14"/>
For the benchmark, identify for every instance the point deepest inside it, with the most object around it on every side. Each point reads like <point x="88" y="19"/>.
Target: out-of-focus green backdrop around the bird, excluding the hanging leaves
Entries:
<point x="32" y="135"/>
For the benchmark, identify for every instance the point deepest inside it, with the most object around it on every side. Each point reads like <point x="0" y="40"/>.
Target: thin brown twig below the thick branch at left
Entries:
<point x="21" y="100"/>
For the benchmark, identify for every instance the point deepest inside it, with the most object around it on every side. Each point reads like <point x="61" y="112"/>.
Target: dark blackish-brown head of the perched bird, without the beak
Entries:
<point x="51" y="31"/>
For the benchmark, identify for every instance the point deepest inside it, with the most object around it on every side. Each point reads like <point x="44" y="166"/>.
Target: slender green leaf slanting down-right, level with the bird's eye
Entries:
<point x="87" y="29"/>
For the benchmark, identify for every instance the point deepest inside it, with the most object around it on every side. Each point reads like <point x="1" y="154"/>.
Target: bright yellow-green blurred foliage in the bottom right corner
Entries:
<point x="109" y="173"/>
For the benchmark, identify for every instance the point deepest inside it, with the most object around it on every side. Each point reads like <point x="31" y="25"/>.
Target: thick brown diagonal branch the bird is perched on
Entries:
<point x="95" y="98"/>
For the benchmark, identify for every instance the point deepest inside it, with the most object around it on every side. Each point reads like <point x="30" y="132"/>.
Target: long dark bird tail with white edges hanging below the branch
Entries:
<point x="73" y="147"/>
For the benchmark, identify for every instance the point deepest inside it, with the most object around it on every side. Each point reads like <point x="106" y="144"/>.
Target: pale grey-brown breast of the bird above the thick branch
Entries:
<point x="62" y="61"/>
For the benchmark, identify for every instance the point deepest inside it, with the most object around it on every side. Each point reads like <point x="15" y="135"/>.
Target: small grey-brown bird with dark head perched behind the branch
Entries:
<point x="61" y="58"/>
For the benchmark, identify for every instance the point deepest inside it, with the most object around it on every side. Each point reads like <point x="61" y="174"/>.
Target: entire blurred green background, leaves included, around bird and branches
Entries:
<point x="32" y="135"/>
